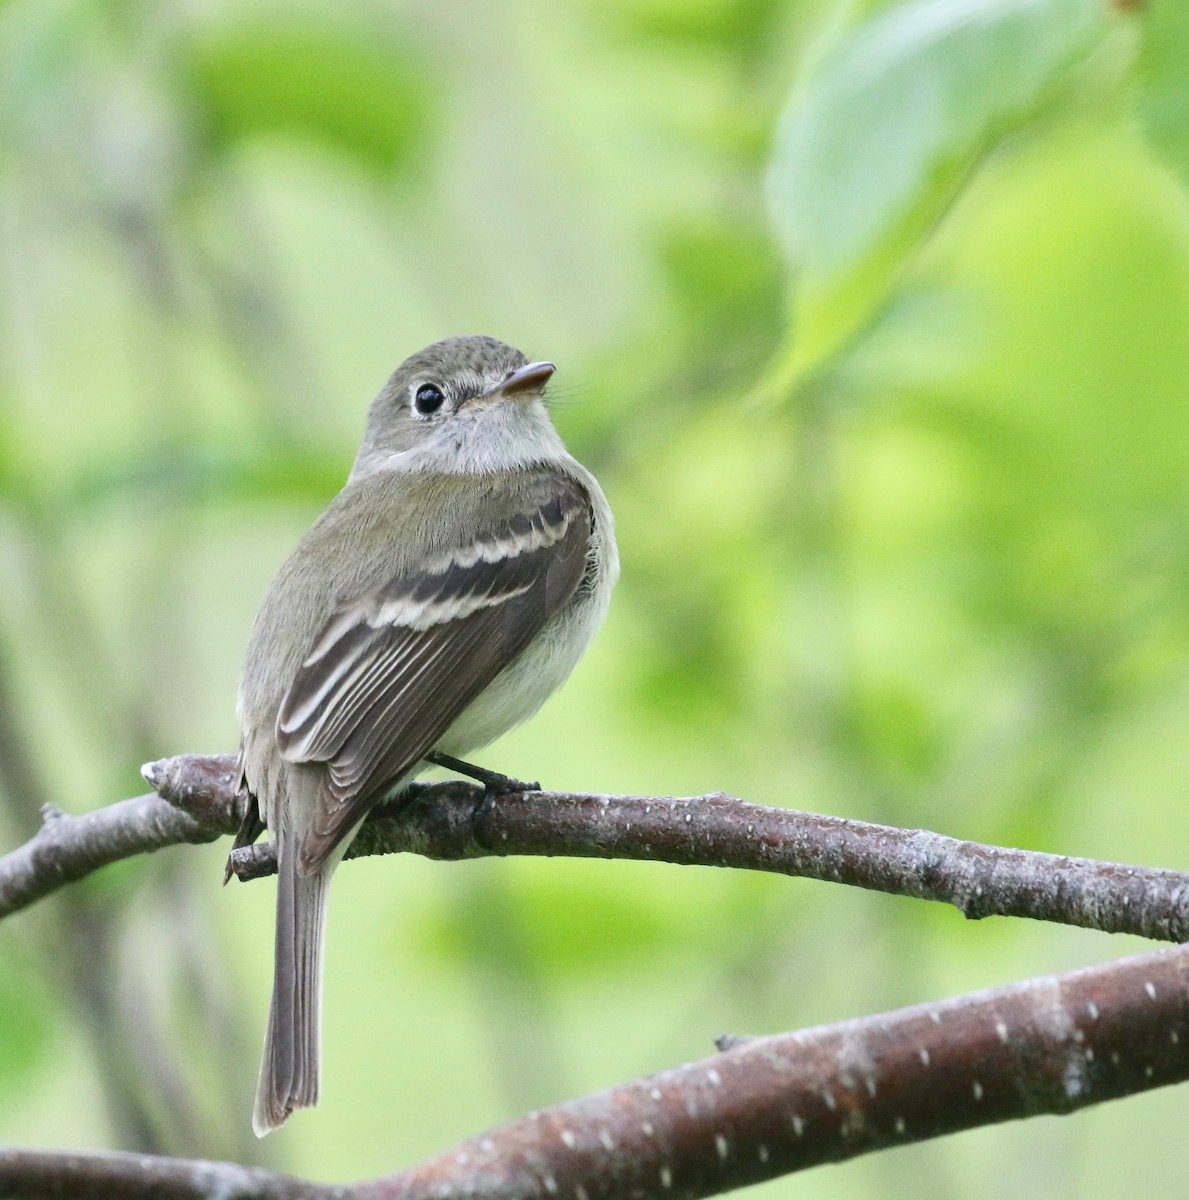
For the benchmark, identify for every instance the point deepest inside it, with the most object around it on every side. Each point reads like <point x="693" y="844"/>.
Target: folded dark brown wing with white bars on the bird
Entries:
<point x="393" y="670"/>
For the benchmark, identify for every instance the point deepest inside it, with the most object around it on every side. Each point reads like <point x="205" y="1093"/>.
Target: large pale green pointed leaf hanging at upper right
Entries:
<point x="874" y="143"/>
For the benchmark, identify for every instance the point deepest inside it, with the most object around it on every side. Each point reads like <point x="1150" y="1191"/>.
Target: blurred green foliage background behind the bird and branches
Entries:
<point x="874" y="322"/>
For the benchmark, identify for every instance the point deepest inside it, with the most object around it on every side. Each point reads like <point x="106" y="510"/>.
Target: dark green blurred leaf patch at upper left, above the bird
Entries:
<point x="325" y="82"/>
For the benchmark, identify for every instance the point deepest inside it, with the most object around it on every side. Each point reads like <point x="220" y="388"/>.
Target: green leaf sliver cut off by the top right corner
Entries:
<point x="1164" y="71"/>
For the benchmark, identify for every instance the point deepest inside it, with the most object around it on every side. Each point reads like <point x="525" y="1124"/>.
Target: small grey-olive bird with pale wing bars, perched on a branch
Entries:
<point x="451" y="587"/>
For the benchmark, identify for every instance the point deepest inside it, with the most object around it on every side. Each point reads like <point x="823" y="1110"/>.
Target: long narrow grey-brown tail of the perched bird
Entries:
<point x="291" y="1066"/>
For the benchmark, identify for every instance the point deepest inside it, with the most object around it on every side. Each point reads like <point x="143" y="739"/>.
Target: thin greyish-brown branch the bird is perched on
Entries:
<point x="453" y="821"/>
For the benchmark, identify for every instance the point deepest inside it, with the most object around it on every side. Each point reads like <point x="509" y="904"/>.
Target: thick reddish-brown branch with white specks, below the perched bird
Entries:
<point x="765" y="1108"/>
